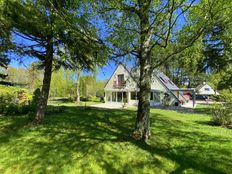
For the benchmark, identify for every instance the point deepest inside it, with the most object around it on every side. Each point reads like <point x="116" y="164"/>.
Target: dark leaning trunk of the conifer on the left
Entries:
<point x="43" y="99"/>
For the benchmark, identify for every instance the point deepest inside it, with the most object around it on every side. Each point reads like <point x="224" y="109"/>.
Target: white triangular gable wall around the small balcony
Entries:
<point x="129" y="82"/>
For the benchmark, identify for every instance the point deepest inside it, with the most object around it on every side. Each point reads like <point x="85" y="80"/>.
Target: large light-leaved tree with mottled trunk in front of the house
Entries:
<point x="147" y="30"/>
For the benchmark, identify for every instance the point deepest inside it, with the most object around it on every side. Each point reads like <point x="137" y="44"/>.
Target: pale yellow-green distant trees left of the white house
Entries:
<point x="63" y="82"/>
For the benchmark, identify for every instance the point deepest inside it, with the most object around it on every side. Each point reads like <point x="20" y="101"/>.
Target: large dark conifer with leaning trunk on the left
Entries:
<point x="58" y="33"/>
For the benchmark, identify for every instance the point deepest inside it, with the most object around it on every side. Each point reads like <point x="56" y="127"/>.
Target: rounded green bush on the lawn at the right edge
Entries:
<point x="222" y="114"/>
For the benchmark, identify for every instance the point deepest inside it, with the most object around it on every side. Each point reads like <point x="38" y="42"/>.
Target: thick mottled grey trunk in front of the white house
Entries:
<point x="142" y="125"/>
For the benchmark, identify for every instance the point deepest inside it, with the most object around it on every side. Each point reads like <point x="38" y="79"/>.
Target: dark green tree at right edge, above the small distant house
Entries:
<point x="210" y="57"/>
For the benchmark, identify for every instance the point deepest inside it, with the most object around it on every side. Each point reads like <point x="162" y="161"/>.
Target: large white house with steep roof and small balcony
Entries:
<point x="122" y="88"/>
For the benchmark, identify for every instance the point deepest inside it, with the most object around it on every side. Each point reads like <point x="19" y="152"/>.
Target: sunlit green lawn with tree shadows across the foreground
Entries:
<point x="91" y="140"/>
